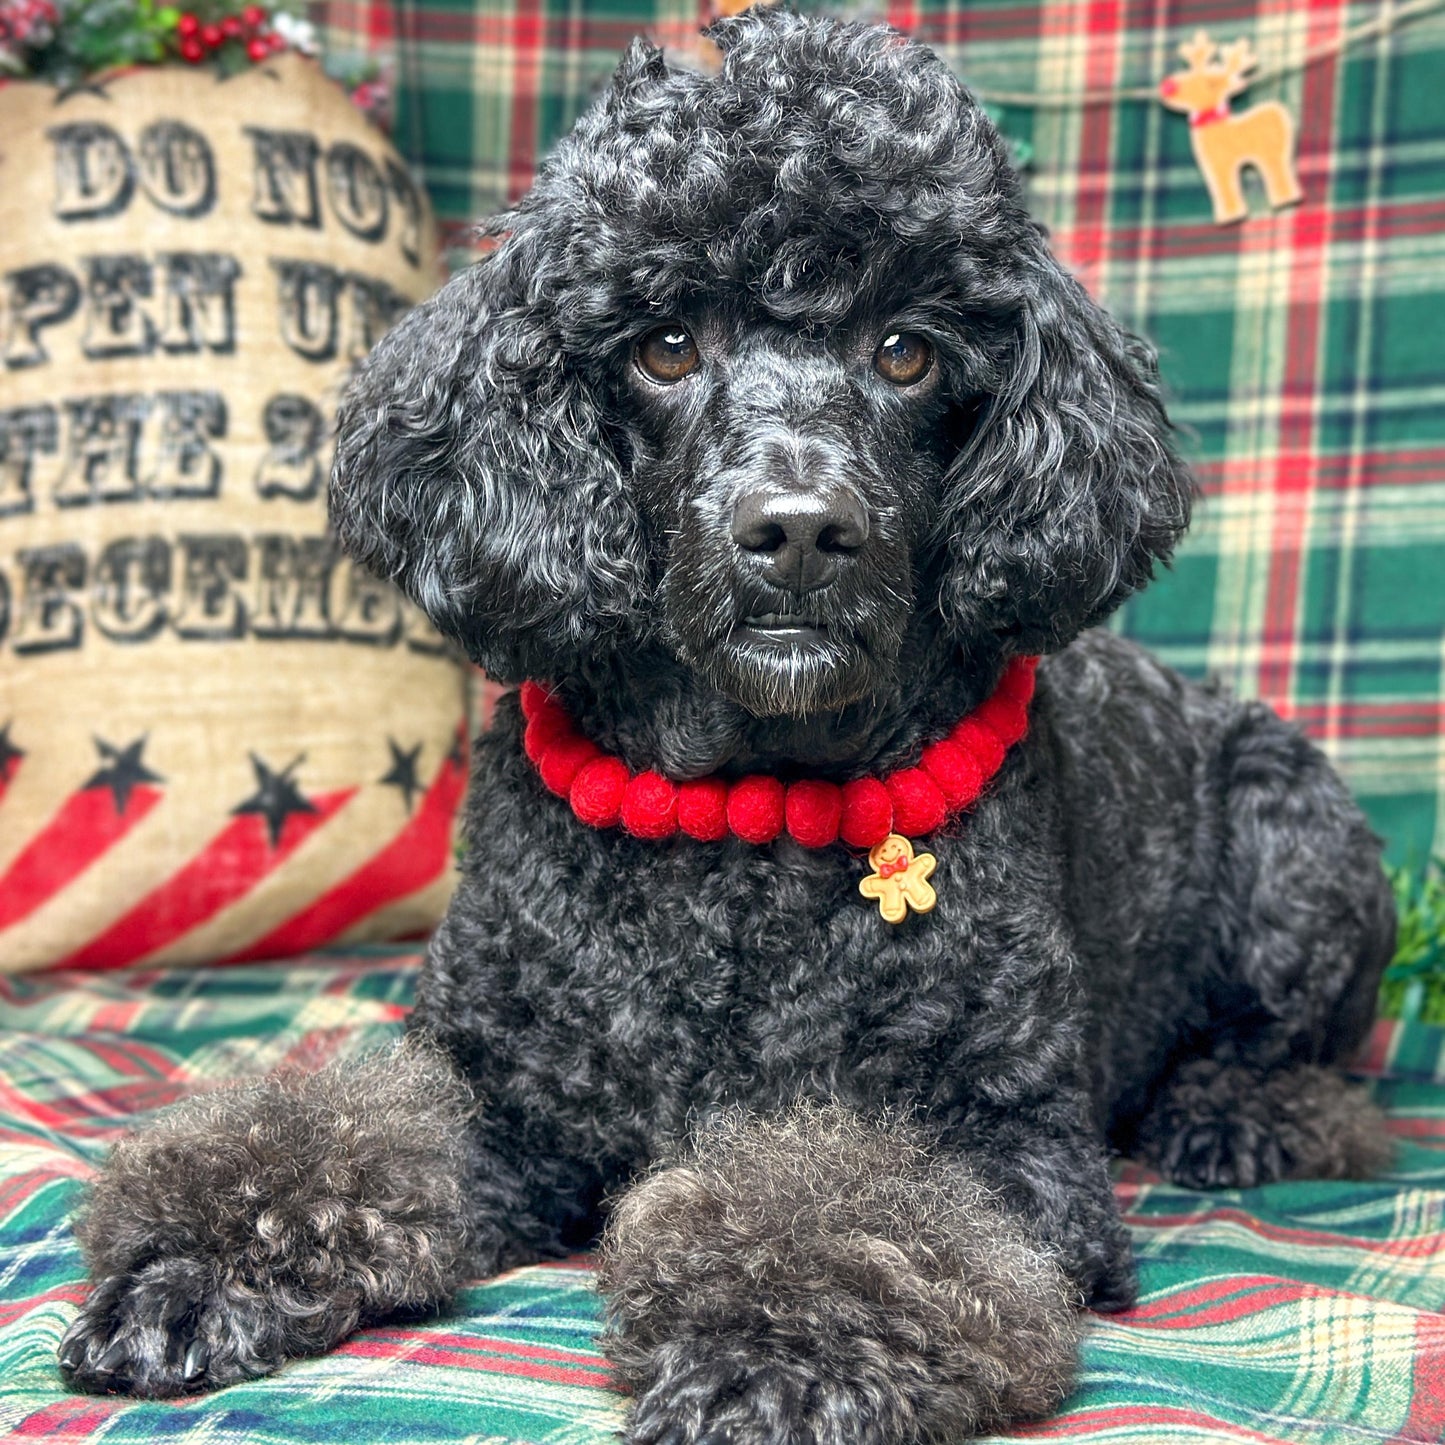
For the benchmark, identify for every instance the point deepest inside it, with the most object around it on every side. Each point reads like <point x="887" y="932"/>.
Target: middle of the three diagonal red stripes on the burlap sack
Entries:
<point x="229" y="868"/>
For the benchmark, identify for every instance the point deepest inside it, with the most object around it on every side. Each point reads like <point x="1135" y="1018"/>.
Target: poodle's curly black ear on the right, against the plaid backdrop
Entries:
<point x="1069" y="491"/>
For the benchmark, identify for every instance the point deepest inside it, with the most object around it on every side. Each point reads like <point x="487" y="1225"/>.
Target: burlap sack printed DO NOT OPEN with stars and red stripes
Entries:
<point x="216" y="738"/>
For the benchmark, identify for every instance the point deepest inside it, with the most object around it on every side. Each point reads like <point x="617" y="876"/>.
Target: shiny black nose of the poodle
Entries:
<point x="801" y="531"/>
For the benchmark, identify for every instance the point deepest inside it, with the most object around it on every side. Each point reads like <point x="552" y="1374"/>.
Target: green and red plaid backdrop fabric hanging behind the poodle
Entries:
<point x="1306" y="350"/>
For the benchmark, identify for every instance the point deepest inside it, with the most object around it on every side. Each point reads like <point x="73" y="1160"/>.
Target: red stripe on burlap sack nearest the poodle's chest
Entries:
<point x="413" y="860"/>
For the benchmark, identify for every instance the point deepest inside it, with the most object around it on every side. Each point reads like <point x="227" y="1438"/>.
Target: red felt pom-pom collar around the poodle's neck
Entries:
<point x="605" y="793"/>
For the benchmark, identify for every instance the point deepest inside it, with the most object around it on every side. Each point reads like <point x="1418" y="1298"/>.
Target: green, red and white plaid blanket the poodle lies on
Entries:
<point x="1291" y="1314"/>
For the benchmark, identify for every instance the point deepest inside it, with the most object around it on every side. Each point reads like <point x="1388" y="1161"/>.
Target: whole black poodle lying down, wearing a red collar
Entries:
<point x="772" y="440"/>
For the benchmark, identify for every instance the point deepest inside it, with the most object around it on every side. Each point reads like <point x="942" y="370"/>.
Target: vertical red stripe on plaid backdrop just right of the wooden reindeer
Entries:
<point x="1310" y="236"/>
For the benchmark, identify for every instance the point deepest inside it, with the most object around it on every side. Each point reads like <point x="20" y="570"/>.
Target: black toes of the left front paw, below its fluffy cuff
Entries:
<point x="167" y="1330"/>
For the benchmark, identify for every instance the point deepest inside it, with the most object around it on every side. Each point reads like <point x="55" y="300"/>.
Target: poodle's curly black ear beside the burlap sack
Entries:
<point x="472" y="469"/>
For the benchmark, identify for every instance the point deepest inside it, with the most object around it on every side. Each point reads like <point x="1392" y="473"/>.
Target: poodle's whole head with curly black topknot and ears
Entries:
<point x="771" y="371"/>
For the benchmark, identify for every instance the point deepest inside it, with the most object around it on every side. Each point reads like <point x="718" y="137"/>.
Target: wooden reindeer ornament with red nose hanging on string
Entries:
<point x="1262" y="137"/>
